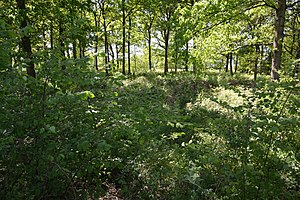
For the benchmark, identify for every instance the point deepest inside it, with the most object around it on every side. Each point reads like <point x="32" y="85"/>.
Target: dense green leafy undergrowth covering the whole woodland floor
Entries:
<point x="179" y="136"/>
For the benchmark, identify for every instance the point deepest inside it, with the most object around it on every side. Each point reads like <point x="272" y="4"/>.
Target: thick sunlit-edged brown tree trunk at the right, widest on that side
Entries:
<point x="278" y="39"/>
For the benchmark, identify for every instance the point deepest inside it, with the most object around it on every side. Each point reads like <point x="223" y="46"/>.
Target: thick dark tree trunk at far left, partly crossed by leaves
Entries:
<point x="25" y="40"/>
